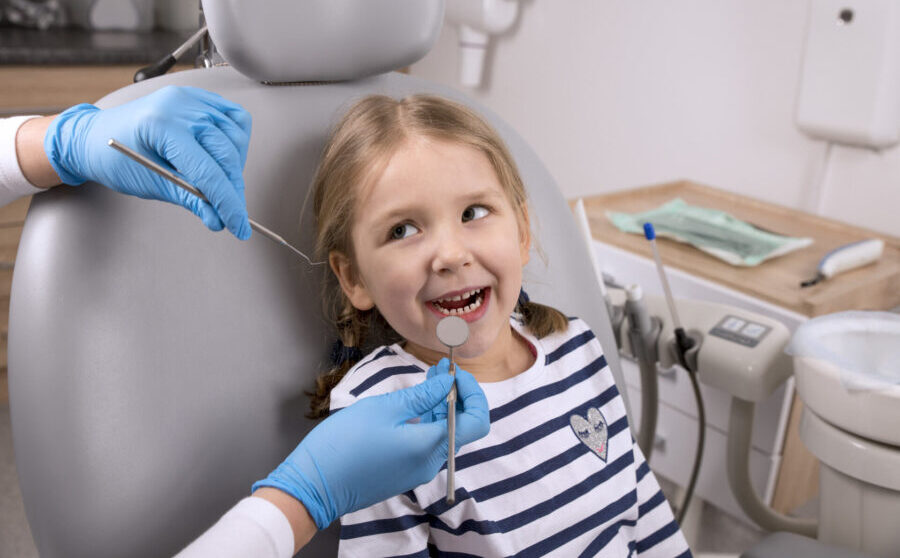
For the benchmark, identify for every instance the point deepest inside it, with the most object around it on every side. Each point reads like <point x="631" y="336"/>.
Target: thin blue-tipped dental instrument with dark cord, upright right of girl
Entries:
<point x="683" y="345"/>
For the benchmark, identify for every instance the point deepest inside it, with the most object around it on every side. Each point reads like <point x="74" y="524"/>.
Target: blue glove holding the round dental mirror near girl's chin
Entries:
<point x="369" y="451"/>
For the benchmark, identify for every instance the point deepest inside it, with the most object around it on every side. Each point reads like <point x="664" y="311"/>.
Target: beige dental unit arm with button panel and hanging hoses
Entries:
<point x="737" y="351"/>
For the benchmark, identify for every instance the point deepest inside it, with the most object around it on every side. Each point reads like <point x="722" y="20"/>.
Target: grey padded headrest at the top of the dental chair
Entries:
<point x="322" y="40"/>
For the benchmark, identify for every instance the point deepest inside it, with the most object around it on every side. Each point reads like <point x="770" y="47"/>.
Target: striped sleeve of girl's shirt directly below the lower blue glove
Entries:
<point x="395" y="527"/>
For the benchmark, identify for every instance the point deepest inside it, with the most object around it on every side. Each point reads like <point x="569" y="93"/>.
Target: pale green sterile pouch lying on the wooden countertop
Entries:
<point x="713" y="231"/>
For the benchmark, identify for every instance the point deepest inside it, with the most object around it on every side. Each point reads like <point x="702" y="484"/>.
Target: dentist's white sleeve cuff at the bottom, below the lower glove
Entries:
<point x="253" y="527"/>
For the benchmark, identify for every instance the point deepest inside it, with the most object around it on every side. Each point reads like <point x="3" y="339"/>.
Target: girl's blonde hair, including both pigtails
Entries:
<point x="362" y="142"/>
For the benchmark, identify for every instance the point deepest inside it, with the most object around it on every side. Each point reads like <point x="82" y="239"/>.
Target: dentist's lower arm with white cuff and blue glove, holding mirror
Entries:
<point x="361" y="455"/>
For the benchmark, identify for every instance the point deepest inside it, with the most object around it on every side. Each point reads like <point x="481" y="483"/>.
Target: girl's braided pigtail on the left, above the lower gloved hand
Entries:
<point x="345" y="353"/>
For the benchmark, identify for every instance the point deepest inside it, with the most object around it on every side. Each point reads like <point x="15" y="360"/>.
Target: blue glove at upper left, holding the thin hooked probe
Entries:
<point x="199" y="134"/>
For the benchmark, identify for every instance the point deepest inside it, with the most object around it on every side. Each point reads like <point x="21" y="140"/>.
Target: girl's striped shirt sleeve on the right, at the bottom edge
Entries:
<point x="657" y="534"/>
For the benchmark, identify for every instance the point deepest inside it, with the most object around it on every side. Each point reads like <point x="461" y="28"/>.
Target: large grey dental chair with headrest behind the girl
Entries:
<point x="157" y="369"/>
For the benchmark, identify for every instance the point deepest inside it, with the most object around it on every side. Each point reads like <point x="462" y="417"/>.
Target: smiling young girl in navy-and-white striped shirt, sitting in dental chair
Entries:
<point x="422" y="214"/>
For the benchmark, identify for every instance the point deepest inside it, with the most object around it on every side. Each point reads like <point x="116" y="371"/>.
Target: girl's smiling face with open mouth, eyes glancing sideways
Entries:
<point x="436" y="225"/>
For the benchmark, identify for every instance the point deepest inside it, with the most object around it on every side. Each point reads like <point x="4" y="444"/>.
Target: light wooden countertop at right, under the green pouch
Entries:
<point x="874" y="287"/>
